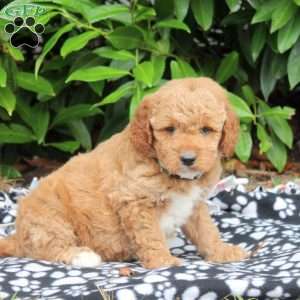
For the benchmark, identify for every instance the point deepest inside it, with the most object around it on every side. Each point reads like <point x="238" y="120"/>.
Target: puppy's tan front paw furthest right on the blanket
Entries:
<point x="227" y="253"/>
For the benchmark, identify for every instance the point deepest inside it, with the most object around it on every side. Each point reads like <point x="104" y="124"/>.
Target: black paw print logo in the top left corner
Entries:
<point x="24" y="32"/>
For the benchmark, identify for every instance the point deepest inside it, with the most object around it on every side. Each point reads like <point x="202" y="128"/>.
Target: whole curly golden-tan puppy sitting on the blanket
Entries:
<point x="125" y="199"/>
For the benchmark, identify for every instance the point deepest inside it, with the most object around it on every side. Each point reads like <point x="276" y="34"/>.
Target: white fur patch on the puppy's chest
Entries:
<point x="180" y="209"/>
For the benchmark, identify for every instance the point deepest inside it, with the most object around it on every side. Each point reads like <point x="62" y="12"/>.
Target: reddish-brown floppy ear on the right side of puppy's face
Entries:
<point x="230" y="131"/>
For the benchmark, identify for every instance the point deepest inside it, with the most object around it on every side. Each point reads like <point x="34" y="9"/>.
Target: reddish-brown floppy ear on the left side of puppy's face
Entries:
<point x="140" y="128"/>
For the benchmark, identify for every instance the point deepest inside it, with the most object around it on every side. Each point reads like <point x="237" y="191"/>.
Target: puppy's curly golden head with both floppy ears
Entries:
<point x="185" y="125"/>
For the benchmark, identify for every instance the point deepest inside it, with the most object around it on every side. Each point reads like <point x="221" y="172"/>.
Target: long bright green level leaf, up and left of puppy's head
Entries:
<point x="96" y="73"/>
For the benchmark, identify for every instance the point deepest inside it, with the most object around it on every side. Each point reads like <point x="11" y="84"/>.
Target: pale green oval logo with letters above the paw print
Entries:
<point x="23" y="10"/>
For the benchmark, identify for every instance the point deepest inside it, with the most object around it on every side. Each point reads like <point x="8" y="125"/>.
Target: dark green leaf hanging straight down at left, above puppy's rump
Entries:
<point x="40" y="121"/>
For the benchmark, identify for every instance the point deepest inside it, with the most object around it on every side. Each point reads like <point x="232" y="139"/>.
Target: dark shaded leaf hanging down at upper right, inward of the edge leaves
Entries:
<point x="272" y="69"/>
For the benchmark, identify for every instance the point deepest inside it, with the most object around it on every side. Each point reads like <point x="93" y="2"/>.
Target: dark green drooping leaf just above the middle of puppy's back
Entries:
<point x="81" y="133"/>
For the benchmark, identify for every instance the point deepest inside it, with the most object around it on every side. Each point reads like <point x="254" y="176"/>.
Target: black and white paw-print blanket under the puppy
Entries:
<point x="271" y="217"/>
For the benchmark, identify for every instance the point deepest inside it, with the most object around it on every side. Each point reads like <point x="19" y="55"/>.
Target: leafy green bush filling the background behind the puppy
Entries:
<point x="96" y="62"/>
